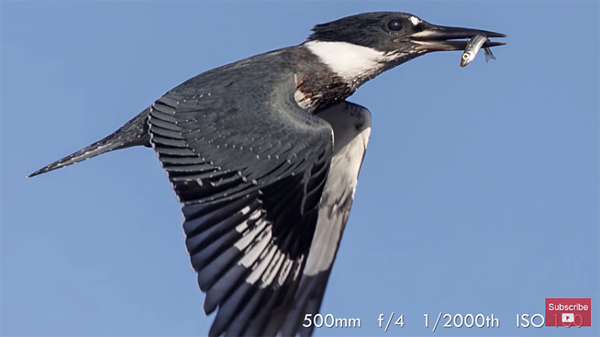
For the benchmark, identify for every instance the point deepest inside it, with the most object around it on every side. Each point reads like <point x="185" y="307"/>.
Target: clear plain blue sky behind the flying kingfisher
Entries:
<point x="479" y="192"/>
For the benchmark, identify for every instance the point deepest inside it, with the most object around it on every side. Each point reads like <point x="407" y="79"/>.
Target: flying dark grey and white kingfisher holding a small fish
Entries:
<point x="265" y="153"/>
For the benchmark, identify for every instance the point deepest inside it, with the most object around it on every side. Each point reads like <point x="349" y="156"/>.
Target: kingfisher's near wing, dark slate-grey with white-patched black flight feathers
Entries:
<point x="249" y="167"/>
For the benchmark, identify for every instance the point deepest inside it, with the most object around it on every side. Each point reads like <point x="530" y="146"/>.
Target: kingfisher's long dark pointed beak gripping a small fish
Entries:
<point x="440" y="38"/>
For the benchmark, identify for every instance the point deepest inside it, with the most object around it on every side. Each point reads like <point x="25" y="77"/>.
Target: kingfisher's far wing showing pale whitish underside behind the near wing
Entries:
<point x="351" y="124"/>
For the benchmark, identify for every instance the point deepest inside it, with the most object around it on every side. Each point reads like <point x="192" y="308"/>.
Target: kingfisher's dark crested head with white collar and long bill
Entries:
<point x="360" y="47"/>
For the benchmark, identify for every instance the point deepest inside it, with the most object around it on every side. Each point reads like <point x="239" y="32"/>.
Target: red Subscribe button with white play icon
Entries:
<point x="568" y="312"/>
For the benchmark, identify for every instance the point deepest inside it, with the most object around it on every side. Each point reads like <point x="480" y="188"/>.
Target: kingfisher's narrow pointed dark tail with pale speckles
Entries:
<point x="133" y="133"/>
